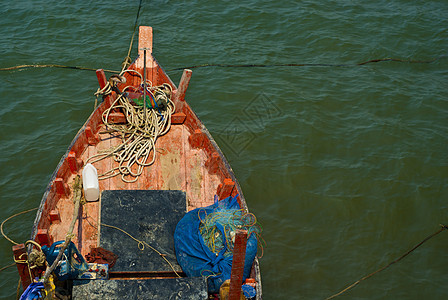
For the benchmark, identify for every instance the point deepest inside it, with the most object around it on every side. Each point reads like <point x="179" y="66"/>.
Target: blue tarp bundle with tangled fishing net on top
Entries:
<point x="203" y="240"/>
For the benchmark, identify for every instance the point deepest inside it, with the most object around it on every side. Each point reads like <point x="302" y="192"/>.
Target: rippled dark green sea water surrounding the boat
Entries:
<point x="345" y="167"/>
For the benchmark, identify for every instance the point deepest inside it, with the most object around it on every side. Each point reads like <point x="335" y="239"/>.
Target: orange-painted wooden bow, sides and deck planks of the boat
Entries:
<point x="187" y="160"/>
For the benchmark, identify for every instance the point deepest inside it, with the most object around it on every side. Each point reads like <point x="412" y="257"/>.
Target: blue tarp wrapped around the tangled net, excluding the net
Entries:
<point x="196" y="259"/>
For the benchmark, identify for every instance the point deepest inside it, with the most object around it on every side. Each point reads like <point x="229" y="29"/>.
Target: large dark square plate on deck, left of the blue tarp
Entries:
<point x="147" y="215"/>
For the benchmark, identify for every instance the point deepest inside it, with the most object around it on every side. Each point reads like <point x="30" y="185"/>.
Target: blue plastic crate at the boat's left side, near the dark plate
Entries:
<point x="72" y="263"/>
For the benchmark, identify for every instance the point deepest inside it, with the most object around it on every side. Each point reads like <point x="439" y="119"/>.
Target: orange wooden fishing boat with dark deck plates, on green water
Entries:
<point x="188" y="167"/>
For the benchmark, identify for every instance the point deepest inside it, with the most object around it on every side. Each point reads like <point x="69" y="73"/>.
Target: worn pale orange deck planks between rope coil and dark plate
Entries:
<point x="178" y="166"/>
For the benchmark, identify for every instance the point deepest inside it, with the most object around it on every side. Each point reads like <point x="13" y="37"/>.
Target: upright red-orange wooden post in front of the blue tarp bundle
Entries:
<point x="239" y="255"/>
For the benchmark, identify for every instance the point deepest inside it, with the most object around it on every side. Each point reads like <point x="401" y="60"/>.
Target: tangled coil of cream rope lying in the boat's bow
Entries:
<point x="138" y="135"/>
